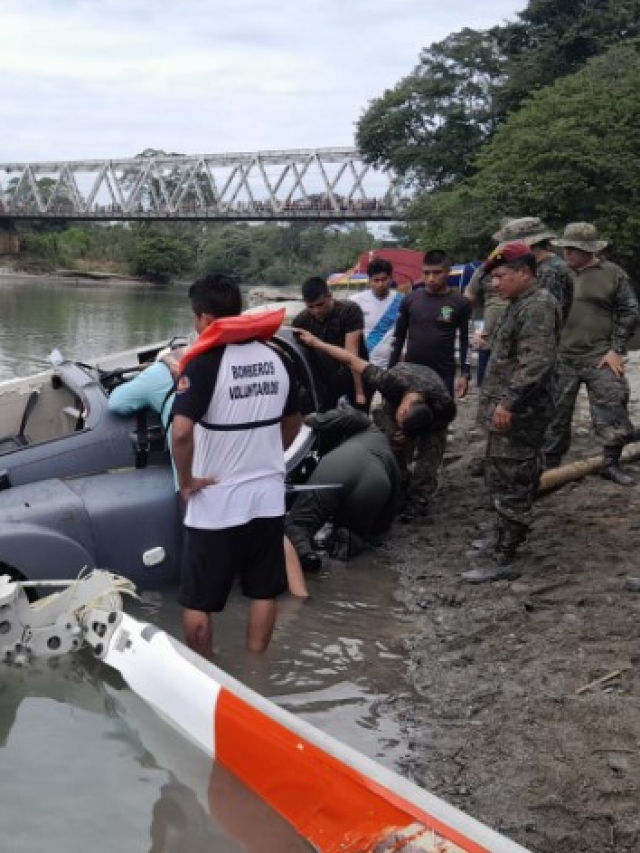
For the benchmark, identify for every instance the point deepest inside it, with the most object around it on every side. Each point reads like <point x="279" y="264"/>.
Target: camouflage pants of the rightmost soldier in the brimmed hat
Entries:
<point x="608" y="400"/>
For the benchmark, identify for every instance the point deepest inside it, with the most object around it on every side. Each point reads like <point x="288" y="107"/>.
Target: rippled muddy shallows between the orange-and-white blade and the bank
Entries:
<point x="335" y="660"/>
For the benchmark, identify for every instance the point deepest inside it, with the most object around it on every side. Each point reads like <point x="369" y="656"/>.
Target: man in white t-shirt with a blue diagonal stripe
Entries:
<point x="379" y="304"/>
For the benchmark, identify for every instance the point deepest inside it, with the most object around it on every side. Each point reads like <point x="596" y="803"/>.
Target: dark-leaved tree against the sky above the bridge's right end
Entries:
<point x="429" y="127"/>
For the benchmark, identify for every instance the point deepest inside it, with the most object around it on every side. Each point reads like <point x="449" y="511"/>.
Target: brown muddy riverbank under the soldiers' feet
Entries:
<point x="529" y="715"/>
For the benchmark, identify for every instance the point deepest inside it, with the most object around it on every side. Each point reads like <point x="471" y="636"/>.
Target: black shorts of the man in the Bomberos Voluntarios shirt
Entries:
<point x="253" y="552"/>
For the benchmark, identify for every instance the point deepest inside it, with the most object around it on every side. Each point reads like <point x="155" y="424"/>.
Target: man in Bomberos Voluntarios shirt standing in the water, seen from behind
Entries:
<point x="235" y="412"/>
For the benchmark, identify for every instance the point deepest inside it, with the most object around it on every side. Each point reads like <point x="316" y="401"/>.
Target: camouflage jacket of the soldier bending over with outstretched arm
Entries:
<point x="404" y="377"/>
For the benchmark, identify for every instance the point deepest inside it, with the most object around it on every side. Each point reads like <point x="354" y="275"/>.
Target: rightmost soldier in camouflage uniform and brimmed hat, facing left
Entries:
<point x="592" y="351"/>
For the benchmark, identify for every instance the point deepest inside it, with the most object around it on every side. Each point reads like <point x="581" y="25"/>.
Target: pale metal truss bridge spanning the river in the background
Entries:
<point x="325" y="184"/>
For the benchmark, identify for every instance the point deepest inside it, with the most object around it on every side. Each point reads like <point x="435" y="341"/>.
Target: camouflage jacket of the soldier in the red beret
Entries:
<point x="520" y="375"/>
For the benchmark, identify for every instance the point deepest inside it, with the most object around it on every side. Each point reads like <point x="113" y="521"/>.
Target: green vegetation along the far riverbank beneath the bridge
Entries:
<point x="257" y="254"/>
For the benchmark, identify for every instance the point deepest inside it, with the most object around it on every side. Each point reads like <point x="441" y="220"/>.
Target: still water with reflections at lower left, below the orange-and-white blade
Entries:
<point x="86" y="765"/>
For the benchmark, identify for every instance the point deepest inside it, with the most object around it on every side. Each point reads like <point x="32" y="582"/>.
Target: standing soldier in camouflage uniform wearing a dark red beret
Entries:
<point x="516" y="404"/>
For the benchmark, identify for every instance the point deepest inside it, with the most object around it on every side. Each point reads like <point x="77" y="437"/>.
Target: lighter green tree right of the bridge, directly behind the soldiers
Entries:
<point x="571" y="153"/>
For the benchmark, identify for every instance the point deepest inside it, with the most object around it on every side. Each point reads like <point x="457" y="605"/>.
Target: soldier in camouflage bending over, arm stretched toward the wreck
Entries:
<point x="416" y="412"/>
